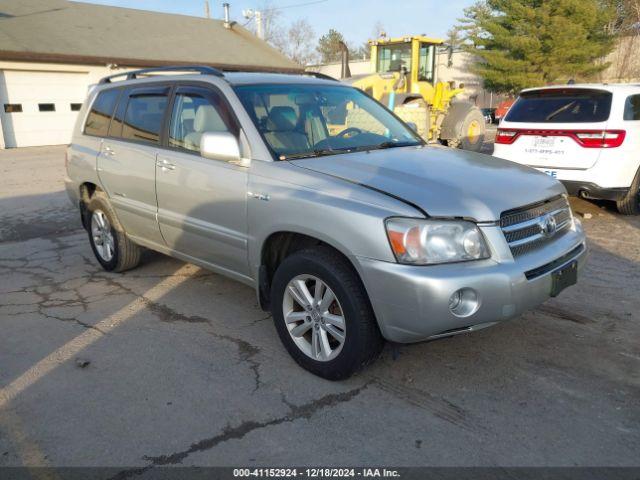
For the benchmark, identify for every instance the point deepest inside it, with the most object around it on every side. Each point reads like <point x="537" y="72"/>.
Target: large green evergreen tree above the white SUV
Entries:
<point x="529" y="43"/>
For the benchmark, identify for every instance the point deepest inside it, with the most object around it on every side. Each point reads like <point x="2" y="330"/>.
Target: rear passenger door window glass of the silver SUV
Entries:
<point x="144" y="115"/>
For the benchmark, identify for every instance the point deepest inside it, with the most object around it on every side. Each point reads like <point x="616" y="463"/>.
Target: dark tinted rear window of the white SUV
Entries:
<point x="571" y="105"/>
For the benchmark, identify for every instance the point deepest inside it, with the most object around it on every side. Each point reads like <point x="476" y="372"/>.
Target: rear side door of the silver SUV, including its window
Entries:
<point x="127" y="161"/>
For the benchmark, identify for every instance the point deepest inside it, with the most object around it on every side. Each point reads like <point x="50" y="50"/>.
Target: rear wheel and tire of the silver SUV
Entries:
<point x="104" y="229"/>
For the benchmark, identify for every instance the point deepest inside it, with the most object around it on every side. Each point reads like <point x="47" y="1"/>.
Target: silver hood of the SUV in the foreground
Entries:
<point x="441" y="181"/>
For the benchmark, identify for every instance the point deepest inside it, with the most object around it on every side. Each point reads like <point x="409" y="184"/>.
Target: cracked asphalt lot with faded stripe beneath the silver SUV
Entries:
<point x="170" y="364"/>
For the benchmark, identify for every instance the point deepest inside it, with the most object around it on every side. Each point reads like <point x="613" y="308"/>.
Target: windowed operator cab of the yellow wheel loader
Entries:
<point x="413" y="56"/>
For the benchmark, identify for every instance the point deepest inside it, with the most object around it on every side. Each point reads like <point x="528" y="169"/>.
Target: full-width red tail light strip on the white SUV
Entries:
<point x="585" y="138"/>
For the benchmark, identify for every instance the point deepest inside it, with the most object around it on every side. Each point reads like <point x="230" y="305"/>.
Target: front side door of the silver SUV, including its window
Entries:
<point x="202" y="203"/>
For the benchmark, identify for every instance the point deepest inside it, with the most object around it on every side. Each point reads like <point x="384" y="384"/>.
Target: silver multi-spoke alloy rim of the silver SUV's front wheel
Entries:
<point x="314" y="318"/>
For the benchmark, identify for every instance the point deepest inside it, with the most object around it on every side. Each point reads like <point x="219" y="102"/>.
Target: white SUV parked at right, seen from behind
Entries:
<point x="587" y="136"/>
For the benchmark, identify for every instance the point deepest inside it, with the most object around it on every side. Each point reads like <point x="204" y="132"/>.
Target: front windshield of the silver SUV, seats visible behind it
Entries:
<point x="300" y="121"/>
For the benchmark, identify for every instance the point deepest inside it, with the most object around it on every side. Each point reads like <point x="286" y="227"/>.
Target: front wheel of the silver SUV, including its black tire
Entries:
<point x="362" y="341"/>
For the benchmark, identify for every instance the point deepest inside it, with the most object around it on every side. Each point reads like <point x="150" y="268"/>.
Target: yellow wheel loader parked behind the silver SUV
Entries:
<point x="405" y="80"/>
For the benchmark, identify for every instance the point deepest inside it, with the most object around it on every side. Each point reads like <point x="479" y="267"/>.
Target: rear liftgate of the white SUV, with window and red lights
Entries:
<point x="564" y="128"/>
